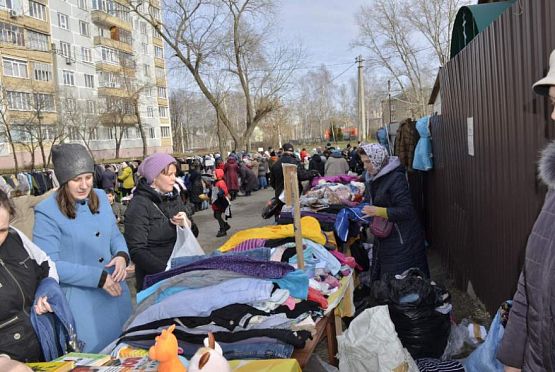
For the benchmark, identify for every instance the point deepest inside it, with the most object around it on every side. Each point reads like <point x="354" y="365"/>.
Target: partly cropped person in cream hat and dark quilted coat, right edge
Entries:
<point x="528" y="341"/>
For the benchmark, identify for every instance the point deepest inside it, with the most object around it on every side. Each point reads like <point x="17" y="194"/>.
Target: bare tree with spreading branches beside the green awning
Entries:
<point x="408" y="41"/>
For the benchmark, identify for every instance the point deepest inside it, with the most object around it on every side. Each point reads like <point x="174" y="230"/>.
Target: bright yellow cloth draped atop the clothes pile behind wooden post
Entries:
<point x="309" y="225"/>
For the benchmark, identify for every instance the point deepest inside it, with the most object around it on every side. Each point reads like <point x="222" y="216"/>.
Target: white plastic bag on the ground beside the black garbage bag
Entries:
<point x="370" y="344"/>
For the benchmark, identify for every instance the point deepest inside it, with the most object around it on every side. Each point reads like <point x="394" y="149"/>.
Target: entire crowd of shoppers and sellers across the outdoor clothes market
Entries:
<point x="84" y="240"/>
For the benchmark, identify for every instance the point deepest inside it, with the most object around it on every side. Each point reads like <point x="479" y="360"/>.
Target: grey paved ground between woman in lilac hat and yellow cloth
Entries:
<point x="246" y="211"/>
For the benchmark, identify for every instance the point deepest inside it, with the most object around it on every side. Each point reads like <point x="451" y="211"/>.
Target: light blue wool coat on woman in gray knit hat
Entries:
<point x="81" y="247"/>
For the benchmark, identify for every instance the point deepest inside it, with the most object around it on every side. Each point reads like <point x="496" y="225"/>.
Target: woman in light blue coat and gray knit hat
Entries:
<point x="76" y="227"/>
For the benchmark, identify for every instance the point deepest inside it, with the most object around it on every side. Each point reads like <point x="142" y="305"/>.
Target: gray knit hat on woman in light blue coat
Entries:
<point x="71" y="160"/>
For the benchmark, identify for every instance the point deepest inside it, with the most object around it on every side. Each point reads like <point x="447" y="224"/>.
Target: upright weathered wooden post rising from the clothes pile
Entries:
<point x="291" y="192"/>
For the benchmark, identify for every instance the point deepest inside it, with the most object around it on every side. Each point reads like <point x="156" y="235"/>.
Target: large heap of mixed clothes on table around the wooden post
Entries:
<point x="249" y="294"/>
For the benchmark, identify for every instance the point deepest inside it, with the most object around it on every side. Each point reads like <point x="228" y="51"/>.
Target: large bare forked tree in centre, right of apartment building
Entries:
<point x="228" y="40"/>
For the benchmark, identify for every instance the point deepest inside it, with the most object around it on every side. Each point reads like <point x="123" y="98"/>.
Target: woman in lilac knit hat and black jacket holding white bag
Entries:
<point x="152" y="216"/>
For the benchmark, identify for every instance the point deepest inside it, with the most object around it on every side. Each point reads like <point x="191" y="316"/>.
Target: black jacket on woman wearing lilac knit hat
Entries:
<point x="149" y="234"/>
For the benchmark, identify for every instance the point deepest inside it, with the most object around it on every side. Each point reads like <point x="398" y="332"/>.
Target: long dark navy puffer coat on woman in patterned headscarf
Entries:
<point x="404" y="248"/>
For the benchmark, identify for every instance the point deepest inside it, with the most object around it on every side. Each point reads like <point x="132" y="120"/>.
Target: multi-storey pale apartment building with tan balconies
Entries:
<point x="84" y="70"/>
